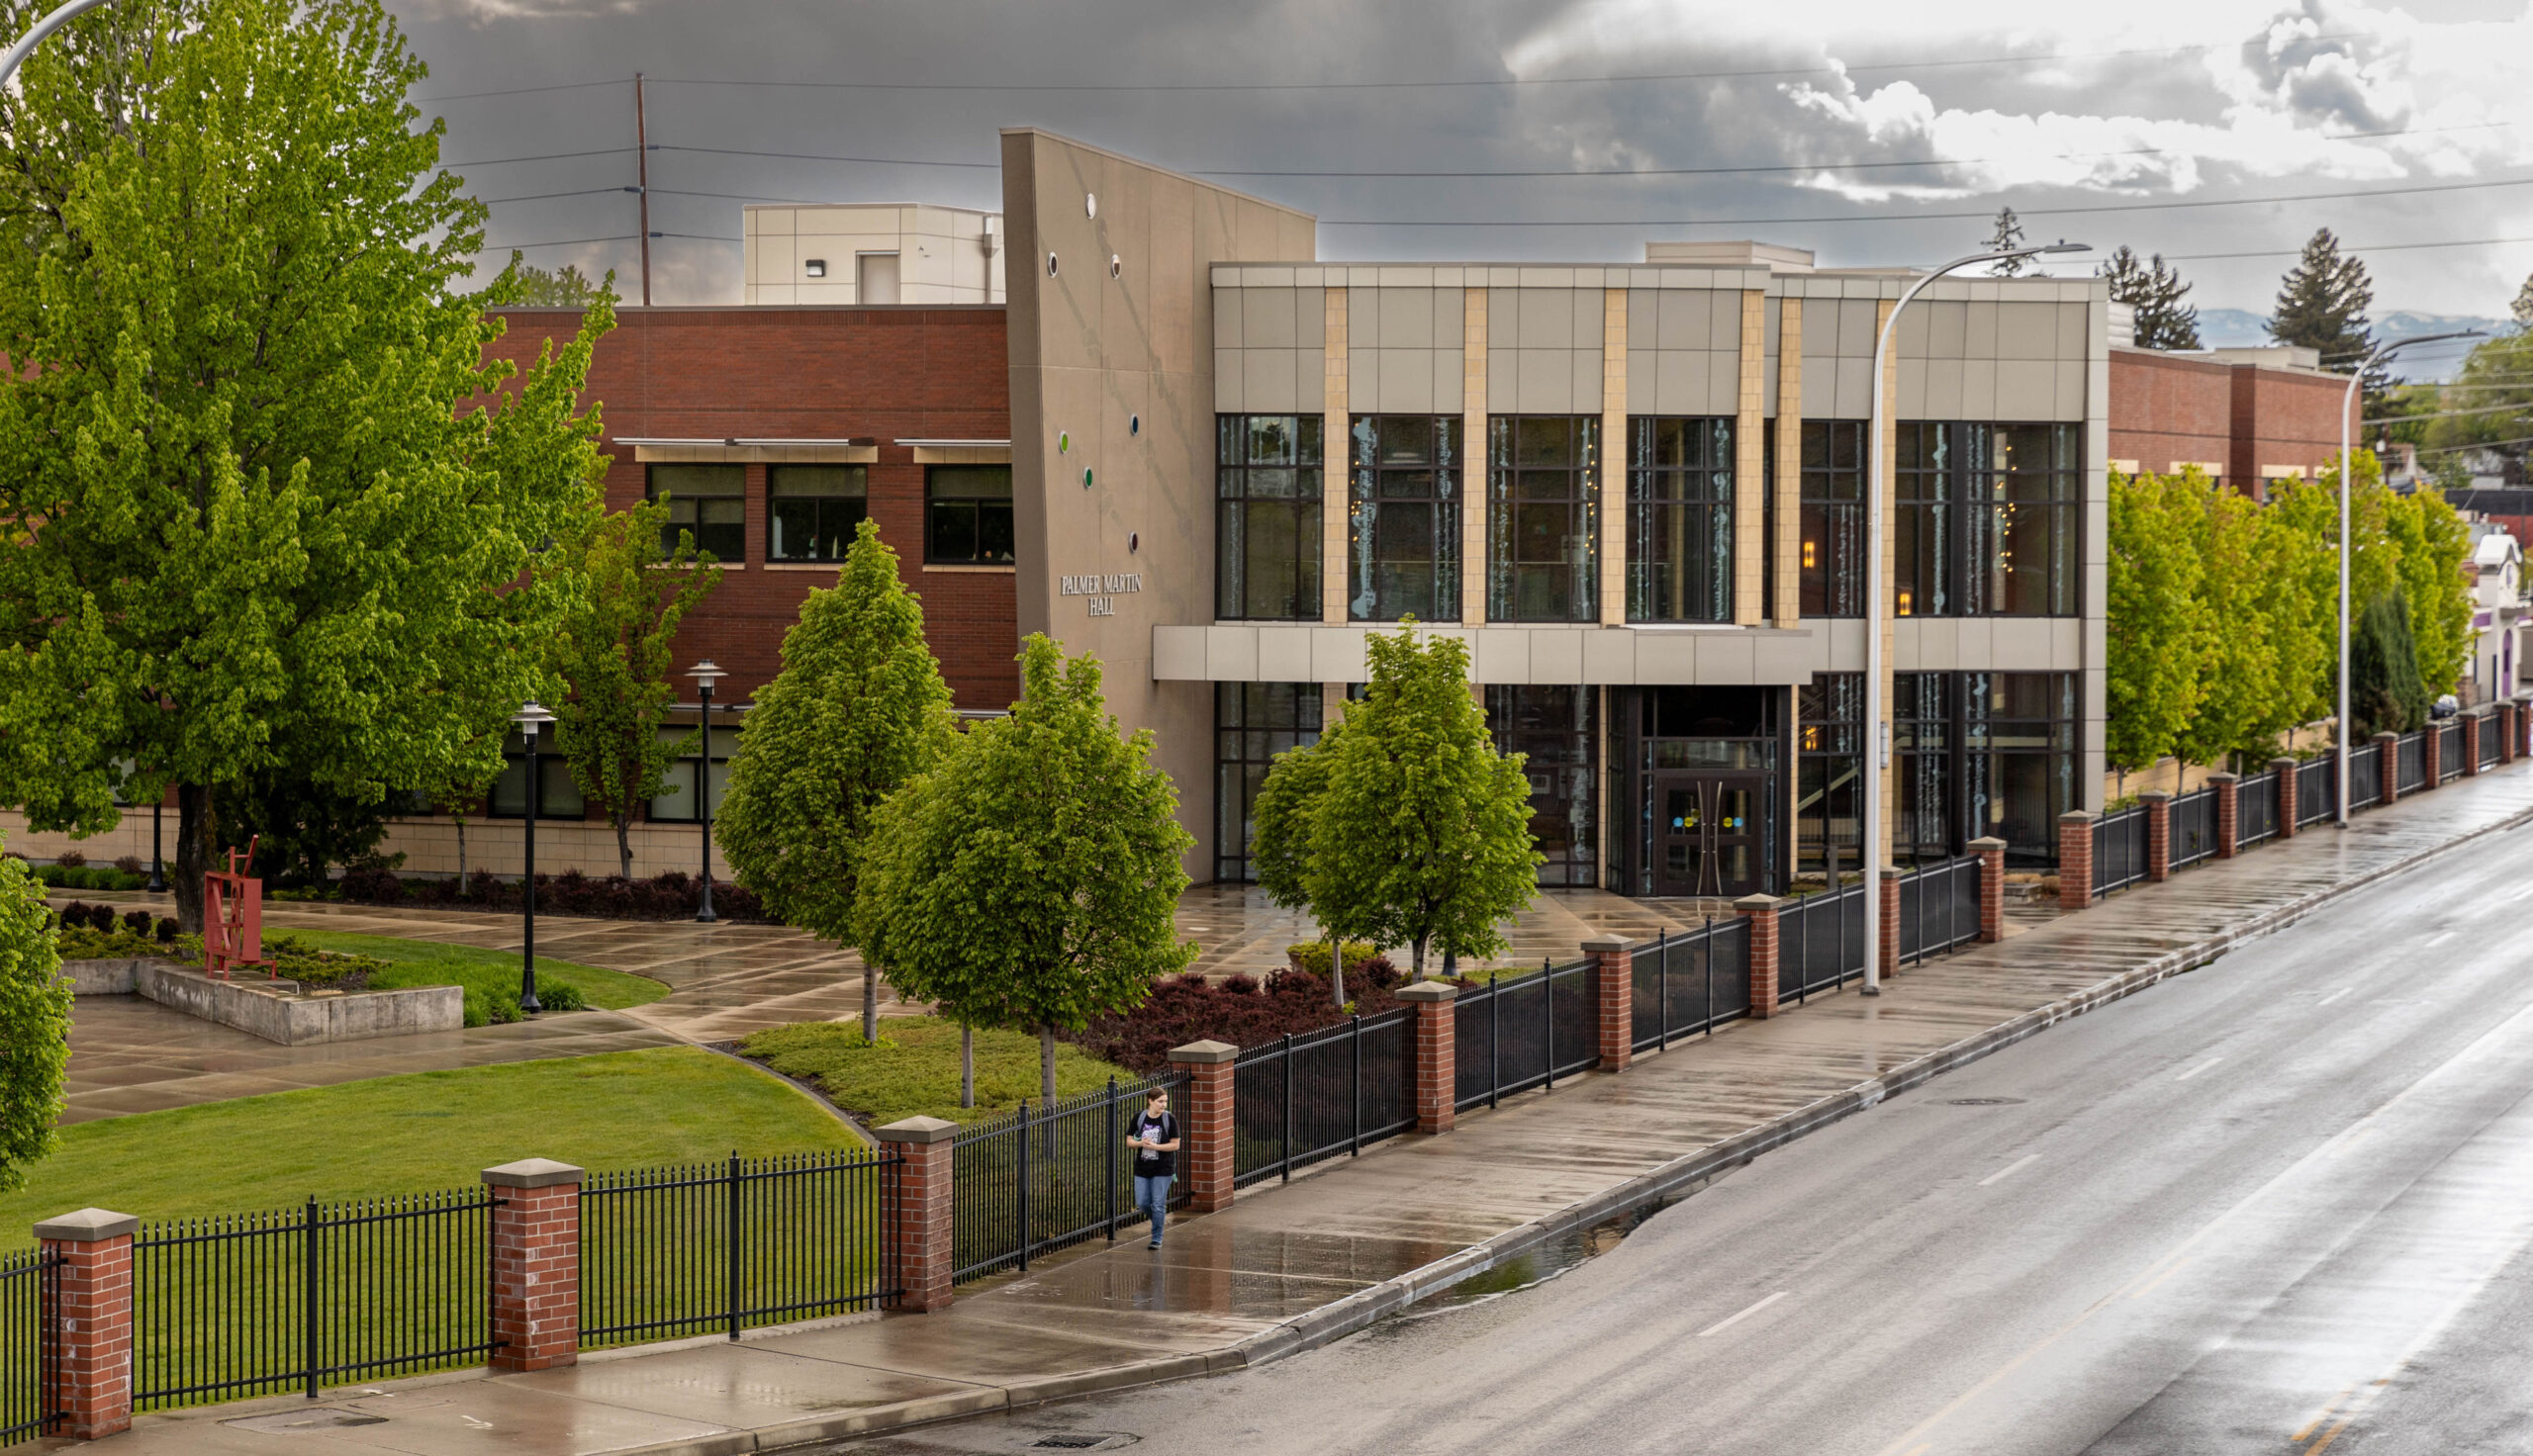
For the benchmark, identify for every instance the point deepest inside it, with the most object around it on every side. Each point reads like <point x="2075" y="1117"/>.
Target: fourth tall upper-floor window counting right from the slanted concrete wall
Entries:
<point x="1678" y="520"/>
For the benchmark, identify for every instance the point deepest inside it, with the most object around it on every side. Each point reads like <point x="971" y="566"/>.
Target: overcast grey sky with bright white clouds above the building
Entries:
<point x="2050" y="110"/>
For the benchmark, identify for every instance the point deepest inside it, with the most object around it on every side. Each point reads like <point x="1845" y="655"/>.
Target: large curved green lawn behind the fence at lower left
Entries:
<point x="422" y="1133"/>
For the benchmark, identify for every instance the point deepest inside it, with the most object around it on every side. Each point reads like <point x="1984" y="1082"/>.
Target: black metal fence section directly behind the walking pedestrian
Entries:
<point x="1047" y="1179"/>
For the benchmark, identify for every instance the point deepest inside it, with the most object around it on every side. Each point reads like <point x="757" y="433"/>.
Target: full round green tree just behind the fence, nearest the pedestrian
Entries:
<point x="1032" y="877"/>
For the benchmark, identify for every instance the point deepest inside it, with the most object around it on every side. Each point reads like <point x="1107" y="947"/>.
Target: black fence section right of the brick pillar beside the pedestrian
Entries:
<point x="1306" y="1098"/>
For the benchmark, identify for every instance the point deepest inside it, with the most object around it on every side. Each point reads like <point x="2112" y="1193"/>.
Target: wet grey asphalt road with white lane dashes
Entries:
<point x="2271" y="1207"/>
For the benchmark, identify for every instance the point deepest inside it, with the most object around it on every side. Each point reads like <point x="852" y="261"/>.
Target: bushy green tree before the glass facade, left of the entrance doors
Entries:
<point x="1425" y="837"/>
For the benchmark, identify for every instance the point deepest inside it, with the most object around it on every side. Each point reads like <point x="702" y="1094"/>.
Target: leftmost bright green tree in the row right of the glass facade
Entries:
<point x="2159" y="647"/>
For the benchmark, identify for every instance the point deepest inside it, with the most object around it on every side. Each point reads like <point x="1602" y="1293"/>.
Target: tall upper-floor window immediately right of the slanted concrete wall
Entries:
<point x="1268" y="518"/>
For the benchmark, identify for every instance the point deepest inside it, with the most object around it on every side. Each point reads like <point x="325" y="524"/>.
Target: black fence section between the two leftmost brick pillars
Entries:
<point x="295" y="1300"/>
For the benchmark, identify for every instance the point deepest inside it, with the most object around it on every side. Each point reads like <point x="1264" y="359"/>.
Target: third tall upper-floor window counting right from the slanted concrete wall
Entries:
<point x="1544" y="518"/>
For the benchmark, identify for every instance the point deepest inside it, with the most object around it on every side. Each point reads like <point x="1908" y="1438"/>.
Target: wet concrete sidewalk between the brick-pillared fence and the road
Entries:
<point x="1301" y="1265"/>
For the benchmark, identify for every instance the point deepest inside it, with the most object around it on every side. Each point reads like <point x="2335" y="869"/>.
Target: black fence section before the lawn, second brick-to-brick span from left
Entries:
<point x="718" y="1247"/>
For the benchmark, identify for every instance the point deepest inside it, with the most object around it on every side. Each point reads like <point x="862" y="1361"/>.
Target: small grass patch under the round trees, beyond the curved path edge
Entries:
<point x="913" y="1072"/>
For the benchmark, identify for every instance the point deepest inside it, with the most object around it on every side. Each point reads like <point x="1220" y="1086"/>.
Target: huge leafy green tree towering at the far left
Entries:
<point x="267" y="500"/>
